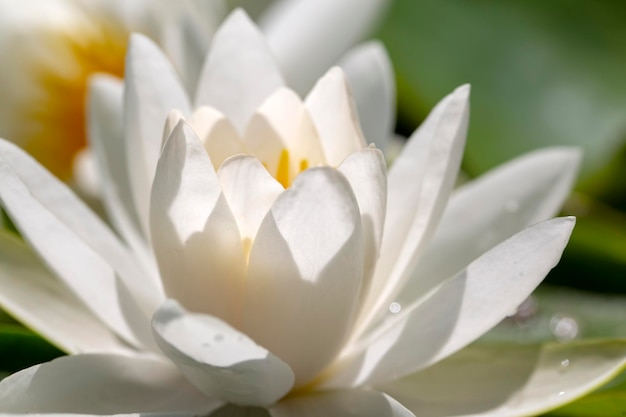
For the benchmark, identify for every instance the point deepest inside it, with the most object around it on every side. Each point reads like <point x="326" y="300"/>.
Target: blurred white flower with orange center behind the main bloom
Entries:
<point x="56" y="45"/>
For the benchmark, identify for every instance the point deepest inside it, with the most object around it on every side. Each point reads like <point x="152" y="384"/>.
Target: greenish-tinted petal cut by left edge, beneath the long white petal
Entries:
<point x="36" y="298"/>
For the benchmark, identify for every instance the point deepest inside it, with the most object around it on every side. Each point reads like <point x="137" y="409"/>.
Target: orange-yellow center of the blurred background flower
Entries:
<point x="53" y="122"/>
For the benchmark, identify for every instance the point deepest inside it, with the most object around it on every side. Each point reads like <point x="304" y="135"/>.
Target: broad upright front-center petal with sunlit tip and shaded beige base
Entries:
<point x="305" y="272"/>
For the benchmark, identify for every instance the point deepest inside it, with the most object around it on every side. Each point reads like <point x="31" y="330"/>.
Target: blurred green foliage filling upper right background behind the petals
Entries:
<point x="542" y="74"/>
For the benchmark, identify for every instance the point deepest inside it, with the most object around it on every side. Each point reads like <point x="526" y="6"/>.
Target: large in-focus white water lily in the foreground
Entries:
<point x="276" y="268"/>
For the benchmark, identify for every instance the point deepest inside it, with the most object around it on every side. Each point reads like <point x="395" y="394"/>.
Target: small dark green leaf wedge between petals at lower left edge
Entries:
<point x="20" y="348"/>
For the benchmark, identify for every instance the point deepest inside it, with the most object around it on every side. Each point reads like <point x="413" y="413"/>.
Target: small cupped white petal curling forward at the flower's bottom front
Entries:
<point x="221" y="361"/>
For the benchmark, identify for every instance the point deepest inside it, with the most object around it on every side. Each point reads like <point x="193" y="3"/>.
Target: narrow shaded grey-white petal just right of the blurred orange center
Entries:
<point x="106" y="137"/>
